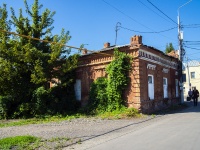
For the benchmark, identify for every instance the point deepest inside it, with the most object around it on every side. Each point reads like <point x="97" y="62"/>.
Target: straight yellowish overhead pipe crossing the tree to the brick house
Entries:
<point x="50" y="42"/>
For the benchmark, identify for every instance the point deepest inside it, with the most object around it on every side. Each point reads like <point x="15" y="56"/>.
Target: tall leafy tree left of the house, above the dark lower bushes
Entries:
<point x="27" y="64"/>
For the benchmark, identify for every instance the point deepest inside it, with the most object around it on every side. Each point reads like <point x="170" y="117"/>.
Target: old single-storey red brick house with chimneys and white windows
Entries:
<point x="154" y="75"/>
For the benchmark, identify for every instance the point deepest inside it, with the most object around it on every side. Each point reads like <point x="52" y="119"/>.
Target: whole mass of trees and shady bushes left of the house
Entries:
<point x="27" y="66"/>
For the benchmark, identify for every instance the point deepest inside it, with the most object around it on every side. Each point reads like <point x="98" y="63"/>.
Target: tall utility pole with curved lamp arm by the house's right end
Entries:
<point x="181" y="51"/>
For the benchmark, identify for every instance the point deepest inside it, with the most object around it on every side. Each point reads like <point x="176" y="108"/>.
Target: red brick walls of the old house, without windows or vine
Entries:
<point x="93" y="66"/>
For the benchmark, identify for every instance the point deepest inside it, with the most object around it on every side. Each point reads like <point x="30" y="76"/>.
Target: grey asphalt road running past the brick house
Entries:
<point x="178" y="131"/>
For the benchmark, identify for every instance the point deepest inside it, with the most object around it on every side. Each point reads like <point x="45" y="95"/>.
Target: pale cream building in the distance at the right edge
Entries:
<point x="192" y="71"/>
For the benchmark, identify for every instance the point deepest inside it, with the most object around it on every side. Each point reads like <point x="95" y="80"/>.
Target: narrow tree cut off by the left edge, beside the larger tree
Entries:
<point x="7" y="69"/>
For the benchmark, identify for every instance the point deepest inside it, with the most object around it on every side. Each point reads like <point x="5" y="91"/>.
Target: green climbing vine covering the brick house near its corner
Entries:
<point x="106" y="94"/>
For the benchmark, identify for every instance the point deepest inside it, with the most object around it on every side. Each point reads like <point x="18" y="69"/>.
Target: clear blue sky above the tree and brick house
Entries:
<point x="94" y="22"/>
